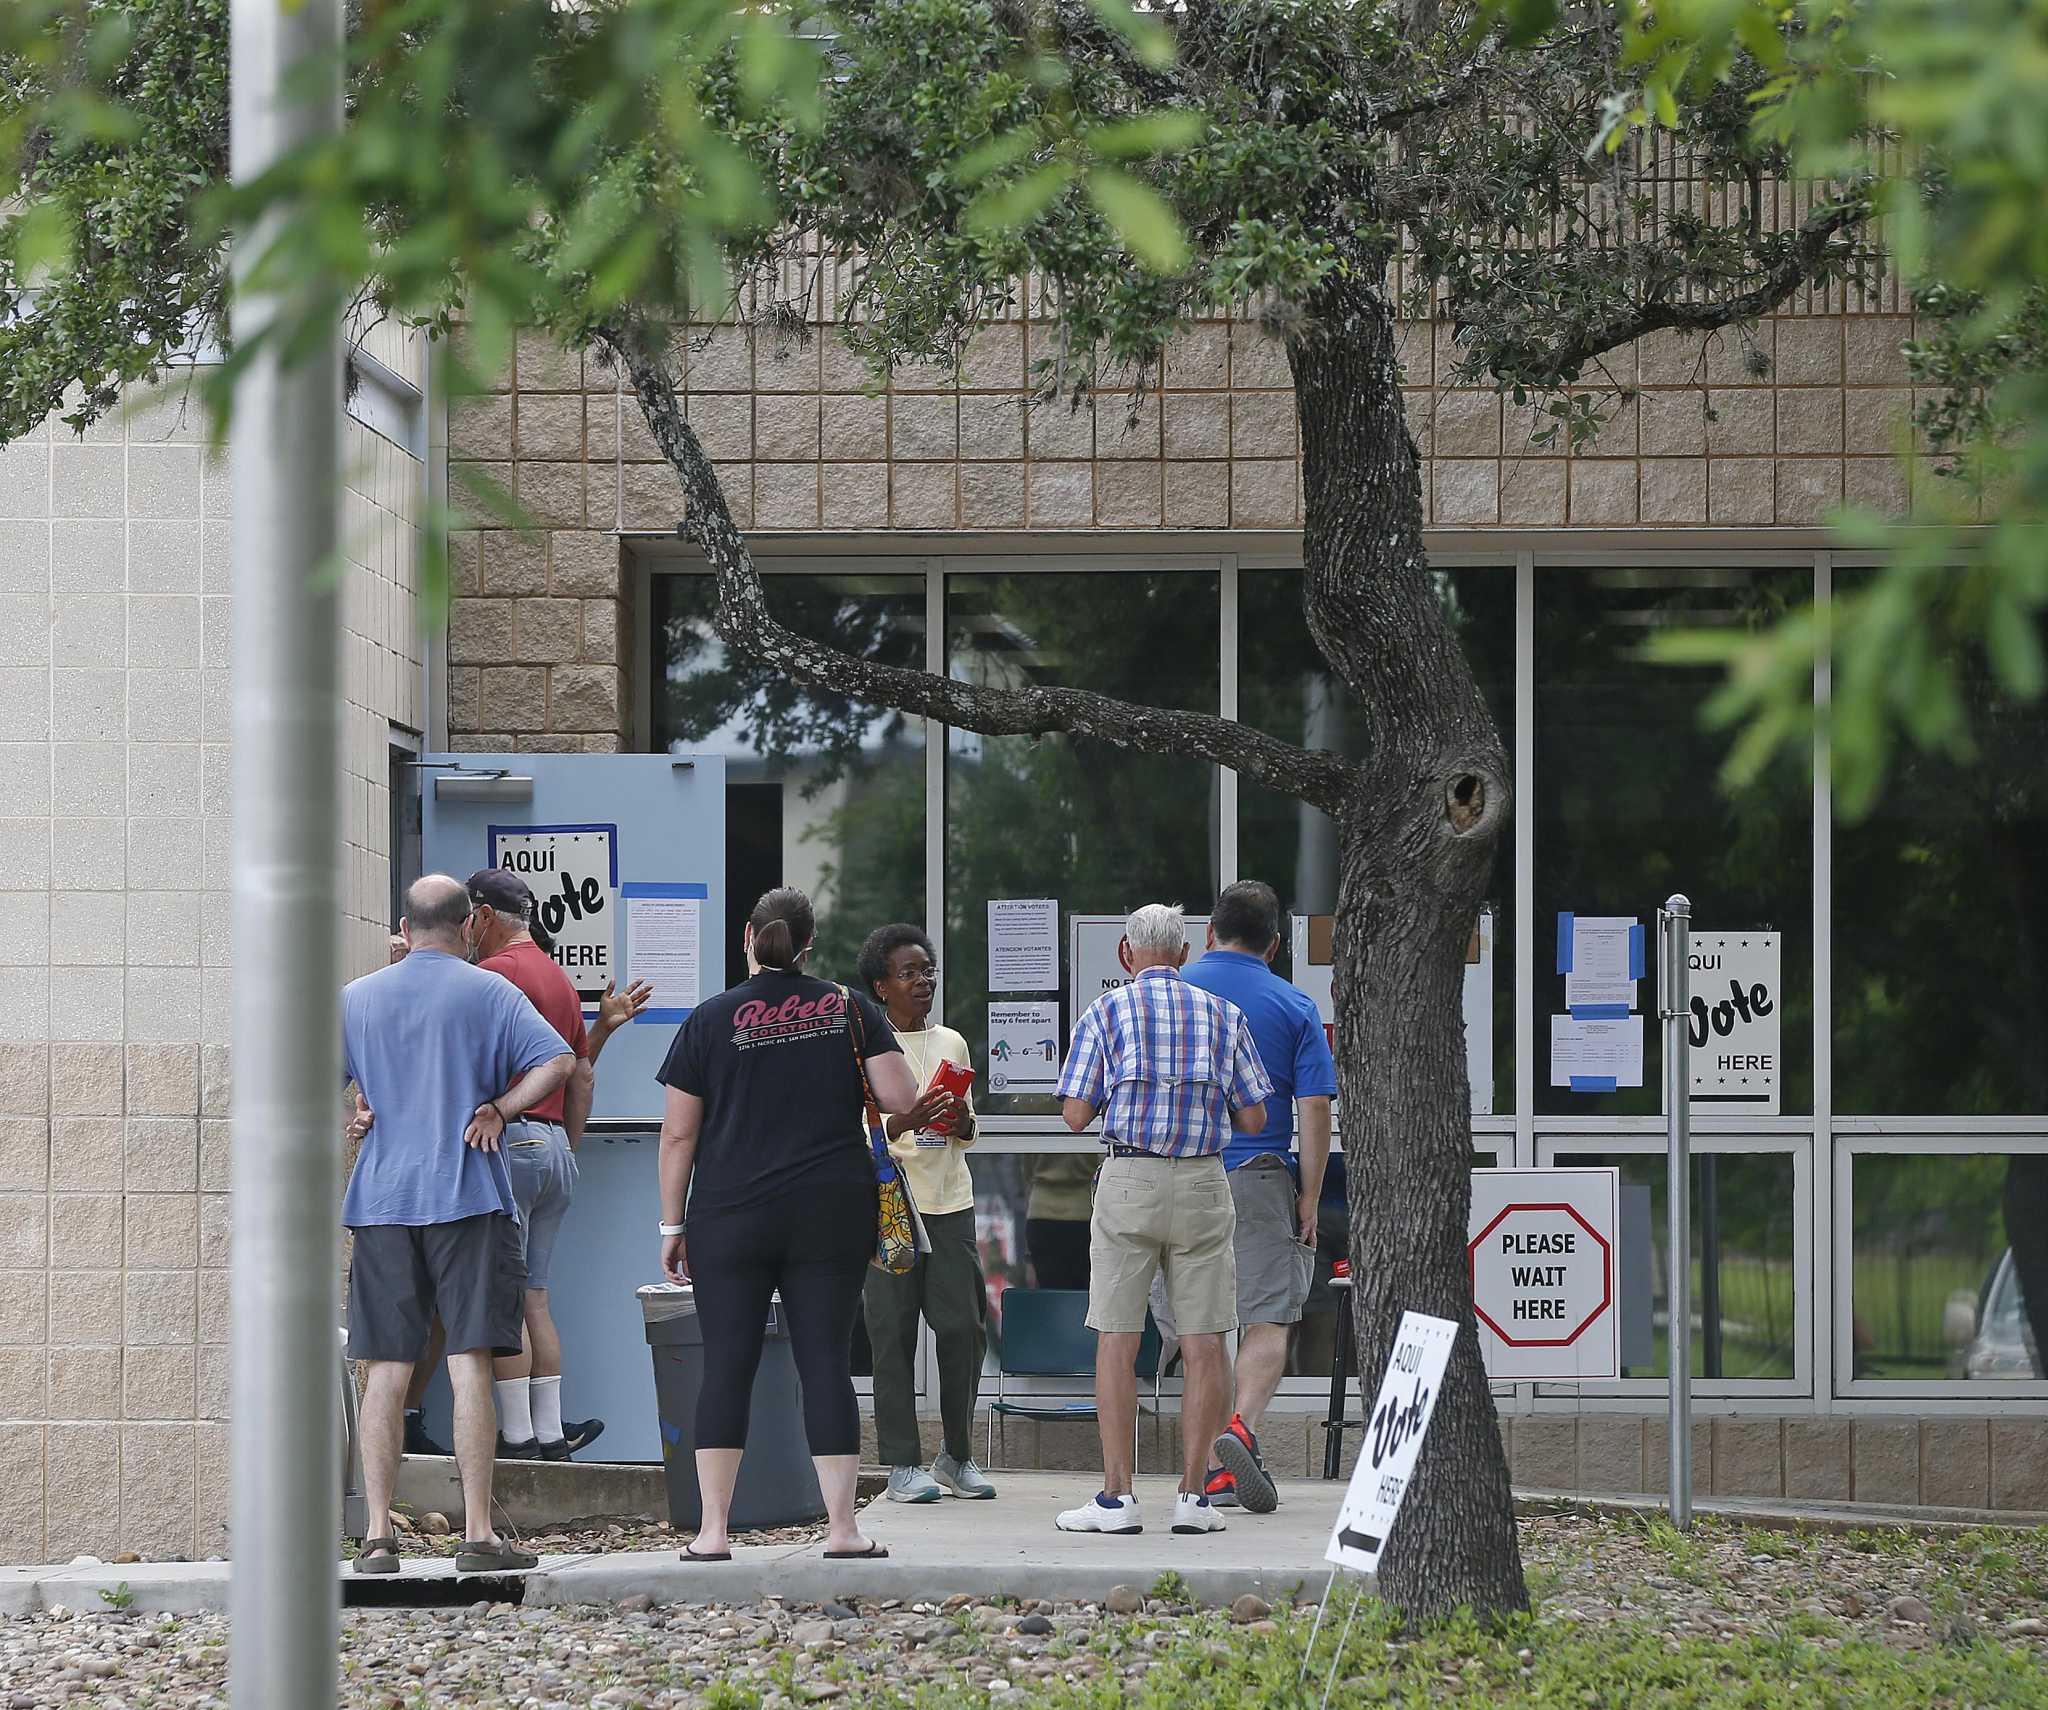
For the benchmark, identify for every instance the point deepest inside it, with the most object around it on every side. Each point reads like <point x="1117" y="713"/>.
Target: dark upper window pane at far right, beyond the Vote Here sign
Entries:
<point x="1943" y="927"/>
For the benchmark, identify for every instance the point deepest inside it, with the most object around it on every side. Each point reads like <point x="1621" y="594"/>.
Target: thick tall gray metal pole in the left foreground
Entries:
<point x="284" y="460"/>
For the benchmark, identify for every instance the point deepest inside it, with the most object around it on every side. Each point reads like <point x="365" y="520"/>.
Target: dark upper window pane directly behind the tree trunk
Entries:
<point x="1289" y="691"/>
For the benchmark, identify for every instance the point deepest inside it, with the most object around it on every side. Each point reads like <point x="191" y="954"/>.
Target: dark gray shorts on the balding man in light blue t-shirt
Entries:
<point x="404" y="1277"/>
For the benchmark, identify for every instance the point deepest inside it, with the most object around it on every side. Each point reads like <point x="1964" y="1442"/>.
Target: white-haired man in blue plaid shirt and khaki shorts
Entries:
<point x="1172" y="1070"/>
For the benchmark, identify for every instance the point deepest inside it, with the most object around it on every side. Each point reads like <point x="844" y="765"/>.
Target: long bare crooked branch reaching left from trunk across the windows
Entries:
<point x="742" y="622"/>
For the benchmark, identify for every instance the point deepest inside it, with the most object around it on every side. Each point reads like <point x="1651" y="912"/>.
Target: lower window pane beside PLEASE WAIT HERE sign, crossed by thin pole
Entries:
<point x="1742" y="1265"/>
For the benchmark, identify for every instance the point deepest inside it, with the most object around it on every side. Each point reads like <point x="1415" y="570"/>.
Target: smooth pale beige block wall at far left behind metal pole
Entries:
<point x="114" y="955"/>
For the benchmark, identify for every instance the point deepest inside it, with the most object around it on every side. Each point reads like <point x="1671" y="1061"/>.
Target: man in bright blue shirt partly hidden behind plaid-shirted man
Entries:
<point x="1275" y="1207"/>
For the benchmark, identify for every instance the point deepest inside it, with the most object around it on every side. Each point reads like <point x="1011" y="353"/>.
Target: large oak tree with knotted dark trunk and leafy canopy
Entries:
<point x="1324" y="167"/>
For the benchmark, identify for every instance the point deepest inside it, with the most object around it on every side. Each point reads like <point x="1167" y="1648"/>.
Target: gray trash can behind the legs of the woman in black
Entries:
<point x="777" y="1482"/>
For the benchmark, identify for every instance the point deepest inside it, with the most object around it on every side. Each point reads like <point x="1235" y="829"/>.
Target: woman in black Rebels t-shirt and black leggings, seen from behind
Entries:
<point x="767" y="1146"/>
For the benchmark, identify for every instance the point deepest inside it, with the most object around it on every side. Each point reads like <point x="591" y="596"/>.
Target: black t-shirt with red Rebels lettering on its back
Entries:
<point x="775" y="1068"/>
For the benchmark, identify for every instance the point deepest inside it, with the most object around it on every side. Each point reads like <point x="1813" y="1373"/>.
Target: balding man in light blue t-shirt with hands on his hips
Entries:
<point x="443" y="1056"/>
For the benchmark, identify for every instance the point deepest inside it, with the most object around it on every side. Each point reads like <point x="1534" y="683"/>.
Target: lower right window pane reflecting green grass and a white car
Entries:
<point x="1951" y="1265"/>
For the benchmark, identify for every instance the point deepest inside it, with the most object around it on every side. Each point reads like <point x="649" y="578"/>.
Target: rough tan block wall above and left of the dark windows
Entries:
<point x="540" y="630"/>
